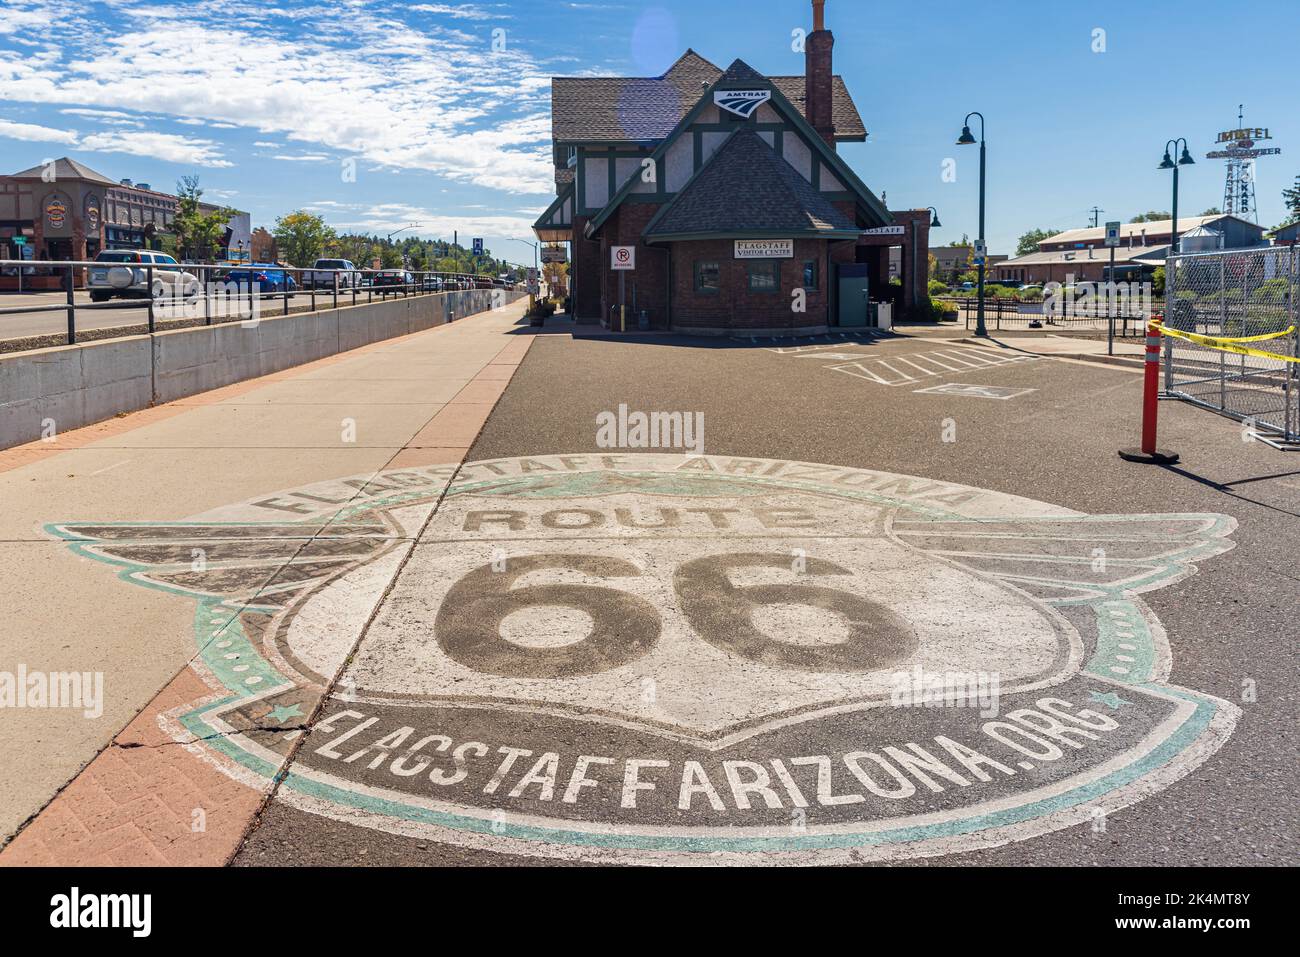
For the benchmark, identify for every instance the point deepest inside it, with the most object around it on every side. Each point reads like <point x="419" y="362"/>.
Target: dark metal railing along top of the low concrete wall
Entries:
<point x="193" y="295"/>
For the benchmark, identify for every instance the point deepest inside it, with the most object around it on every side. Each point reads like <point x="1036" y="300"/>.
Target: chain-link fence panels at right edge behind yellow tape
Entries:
<point x="1233" y="295"/>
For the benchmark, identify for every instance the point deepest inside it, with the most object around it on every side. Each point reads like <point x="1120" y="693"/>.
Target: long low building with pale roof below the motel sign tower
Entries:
<point x="1082" y="254"/>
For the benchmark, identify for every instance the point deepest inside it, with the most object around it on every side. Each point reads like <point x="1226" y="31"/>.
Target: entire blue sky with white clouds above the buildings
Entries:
<point x="443" y="109"/>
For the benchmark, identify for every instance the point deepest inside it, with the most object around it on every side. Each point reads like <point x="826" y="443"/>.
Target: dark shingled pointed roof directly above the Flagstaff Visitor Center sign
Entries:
<point x="747" y="189"/>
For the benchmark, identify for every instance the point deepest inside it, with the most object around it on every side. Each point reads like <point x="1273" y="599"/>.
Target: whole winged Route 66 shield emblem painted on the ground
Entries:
<point x="679" y="660"/>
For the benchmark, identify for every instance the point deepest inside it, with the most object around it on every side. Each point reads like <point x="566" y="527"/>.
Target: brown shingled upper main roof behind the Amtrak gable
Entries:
<point x="645" y="110"/>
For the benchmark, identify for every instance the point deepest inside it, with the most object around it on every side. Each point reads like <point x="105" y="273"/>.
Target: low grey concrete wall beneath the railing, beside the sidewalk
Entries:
<point x="70" y="387"/>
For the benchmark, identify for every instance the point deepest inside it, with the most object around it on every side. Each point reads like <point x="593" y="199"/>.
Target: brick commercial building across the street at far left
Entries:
<point x="64" y="211"/>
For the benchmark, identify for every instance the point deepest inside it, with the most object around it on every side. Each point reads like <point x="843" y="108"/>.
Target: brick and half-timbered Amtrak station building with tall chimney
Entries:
<point x="714" y="201"/>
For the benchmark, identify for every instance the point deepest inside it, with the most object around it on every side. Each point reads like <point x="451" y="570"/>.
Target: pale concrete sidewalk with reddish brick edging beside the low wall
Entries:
<point x="413" y="402"/>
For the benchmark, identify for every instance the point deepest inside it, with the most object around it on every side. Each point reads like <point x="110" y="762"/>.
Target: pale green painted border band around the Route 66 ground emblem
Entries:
<point x="207" y="631"/>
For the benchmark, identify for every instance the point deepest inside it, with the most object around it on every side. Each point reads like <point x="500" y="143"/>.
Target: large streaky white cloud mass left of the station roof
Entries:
<point x="370" y="81"/>
